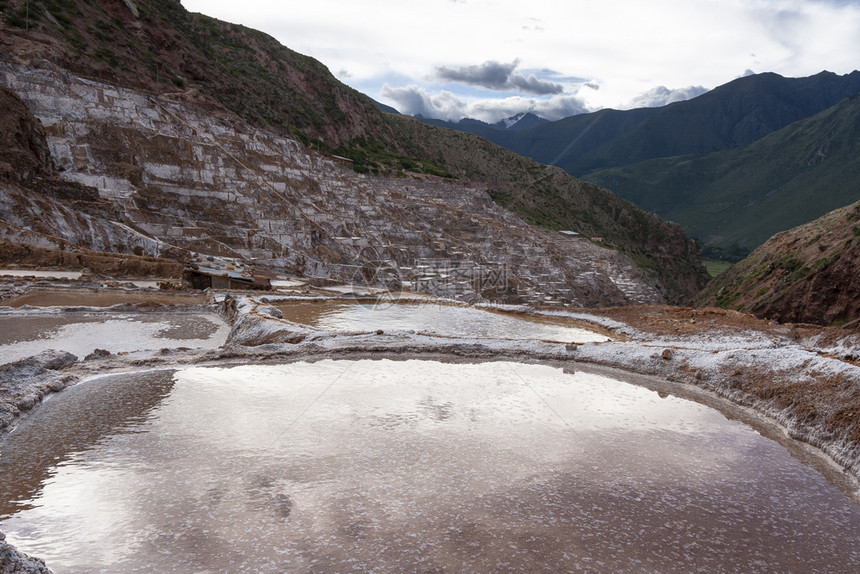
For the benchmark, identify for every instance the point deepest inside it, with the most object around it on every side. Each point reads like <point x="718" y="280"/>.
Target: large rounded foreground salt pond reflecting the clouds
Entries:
<point x="360" y="466"/>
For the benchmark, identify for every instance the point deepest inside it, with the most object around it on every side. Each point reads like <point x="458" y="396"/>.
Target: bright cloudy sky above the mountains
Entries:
<point x="490" y="59"/>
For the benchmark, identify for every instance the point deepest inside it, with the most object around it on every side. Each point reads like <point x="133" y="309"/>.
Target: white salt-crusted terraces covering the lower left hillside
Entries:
<point x="156" y="176"/>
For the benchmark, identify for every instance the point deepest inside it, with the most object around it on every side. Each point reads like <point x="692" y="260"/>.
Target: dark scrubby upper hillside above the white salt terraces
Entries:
<point x="157" y="47"/>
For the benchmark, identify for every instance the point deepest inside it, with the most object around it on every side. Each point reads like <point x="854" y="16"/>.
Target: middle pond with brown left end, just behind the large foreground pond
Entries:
<point x="433" y="318"/>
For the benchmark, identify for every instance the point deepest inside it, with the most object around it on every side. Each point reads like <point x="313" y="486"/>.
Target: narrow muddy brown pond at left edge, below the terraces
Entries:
<point x="101" y="298"/>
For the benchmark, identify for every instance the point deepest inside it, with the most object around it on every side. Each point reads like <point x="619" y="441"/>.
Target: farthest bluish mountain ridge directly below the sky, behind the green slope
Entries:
<point x="732" y="115"/>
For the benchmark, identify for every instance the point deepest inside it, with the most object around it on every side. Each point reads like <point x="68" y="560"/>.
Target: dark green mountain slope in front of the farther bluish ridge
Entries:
<point x="732" y="201"/>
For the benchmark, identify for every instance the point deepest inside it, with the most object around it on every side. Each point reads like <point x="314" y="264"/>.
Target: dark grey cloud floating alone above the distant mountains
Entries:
<point x="497" y="76"/>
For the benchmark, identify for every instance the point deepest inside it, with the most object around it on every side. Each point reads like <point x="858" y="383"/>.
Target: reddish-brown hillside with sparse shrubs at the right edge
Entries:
<point x="808" y="274"/>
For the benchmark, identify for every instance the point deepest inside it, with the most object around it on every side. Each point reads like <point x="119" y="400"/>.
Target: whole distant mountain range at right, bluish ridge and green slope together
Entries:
<point x="659" y="158"/>
